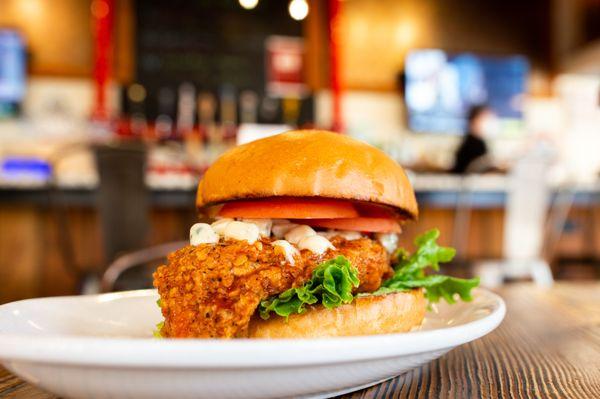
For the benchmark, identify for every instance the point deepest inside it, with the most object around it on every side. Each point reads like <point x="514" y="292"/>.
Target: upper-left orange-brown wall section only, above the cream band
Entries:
<point x="59" y="36"/>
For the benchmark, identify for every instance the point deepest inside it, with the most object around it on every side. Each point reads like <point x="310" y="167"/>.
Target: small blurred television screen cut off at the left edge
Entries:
<point x="12" y="67"/>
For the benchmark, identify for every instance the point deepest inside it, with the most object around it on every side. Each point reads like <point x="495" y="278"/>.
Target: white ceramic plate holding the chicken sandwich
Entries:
<point x="101" y="346"/>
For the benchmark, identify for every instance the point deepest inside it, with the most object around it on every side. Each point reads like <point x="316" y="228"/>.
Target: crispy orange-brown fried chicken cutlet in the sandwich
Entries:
<point x="212" y="291"/>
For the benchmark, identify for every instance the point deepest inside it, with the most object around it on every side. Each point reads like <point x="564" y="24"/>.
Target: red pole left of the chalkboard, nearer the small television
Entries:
<point x="102" y="15"/>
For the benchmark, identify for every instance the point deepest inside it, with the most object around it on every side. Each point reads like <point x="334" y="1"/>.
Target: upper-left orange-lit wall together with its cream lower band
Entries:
<point x="60" y="53"/>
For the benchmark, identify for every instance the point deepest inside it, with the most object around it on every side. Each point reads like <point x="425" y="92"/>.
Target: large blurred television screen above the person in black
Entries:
<point x="441" y="87"/>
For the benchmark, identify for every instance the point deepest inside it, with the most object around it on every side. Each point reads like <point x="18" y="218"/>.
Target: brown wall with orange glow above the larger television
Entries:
<point x="377" y="34"/>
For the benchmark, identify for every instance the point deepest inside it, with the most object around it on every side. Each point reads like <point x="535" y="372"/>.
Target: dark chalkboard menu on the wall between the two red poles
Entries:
<point x="210" y="43"/>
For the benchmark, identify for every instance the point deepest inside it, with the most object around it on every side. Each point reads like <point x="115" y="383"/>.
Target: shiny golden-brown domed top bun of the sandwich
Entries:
<point x="308" y="163"/>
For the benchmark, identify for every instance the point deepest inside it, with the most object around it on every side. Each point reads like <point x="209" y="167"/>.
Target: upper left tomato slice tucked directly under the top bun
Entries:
<point x="289" y="208"/>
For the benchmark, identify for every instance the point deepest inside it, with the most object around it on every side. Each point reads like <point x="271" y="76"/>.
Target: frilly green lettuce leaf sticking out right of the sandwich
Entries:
<point x="410" y="272"/>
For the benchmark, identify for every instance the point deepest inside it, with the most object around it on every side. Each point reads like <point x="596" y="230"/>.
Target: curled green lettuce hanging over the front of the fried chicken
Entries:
<point x="331" y="284"/>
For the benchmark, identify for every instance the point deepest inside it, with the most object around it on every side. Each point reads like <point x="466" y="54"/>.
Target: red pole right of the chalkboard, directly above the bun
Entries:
<point x="334" y="64"/>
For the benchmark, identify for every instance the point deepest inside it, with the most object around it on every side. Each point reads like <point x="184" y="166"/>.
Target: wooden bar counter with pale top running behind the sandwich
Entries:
<point x="30" y="218"/>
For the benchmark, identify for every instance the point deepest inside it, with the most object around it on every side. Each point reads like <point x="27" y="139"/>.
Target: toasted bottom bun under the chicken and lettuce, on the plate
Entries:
<point x="368" y="315"/>
